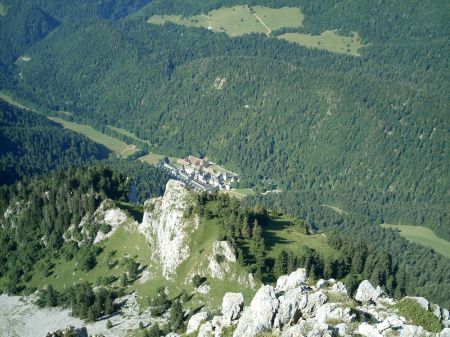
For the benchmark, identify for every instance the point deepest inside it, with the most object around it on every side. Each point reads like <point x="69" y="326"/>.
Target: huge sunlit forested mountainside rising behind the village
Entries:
<point x="369" y="133"/>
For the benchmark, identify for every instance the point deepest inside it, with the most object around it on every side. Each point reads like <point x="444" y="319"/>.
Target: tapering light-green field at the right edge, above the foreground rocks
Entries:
<point x="423" y="236"/>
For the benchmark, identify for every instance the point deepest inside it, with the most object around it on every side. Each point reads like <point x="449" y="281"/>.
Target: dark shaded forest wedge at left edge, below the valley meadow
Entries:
<point x="31" y="144"/>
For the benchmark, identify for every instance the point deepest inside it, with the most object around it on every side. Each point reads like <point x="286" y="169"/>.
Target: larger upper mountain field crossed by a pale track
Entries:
<point x="238" y="20"/>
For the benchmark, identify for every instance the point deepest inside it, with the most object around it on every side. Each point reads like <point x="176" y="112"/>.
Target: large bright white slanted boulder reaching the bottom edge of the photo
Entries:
<point x="259" y="317"/>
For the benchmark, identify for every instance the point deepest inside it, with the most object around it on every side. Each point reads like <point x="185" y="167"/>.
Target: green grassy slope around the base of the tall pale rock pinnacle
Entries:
<point x="128" y="242"/>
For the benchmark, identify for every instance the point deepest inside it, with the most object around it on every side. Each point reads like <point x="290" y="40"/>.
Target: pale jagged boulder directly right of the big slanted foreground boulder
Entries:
<point x="289" y="310"/>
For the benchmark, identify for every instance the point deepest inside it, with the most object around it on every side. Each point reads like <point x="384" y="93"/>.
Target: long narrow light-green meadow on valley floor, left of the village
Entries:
<point x="118" y="147"/>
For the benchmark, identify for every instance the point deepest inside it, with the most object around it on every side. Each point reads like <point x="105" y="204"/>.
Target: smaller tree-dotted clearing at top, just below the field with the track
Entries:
<point x="329" y="40"/>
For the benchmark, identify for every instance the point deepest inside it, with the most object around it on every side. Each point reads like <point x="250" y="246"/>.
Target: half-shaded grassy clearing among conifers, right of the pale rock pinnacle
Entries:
<point x="281" y="234"/>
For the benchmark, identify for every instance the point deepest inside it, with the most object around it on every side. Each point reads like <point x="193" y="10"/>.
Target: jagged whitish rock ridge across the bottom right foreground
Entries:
<point x="293" y="308"/>
